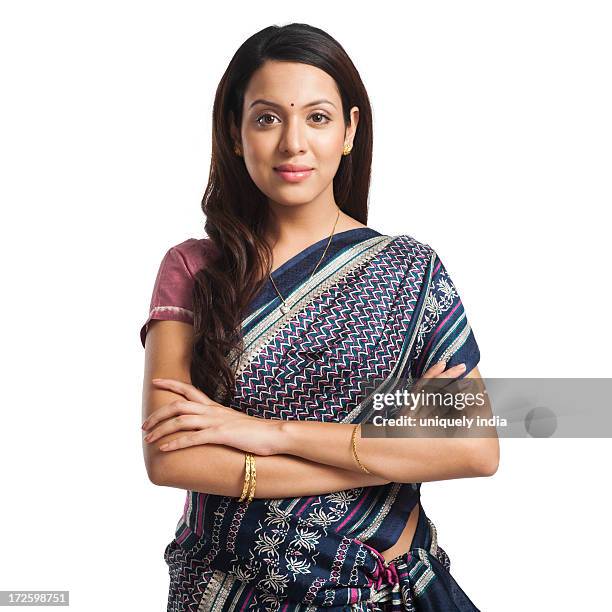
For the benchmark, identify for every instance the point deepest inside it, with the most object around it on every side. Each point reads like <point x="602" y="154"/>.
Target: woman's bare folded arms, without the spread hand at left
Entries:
<point x="302" y="457"/>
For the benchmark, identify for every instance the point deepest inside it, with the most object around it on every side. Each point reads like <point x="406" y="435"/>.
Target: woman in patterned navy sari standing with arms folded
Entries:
<point x="260" y="344"/>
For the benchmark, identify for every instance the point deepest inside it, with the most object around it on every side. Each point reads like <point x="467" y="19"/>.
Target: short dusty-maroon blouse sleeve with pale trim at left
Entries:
<point x="172" y="291"/>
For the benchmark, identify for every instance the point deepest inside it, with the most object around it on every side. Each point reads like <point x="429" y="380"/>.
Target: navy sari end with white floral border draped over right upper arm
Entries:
<point x="444" y="332"/>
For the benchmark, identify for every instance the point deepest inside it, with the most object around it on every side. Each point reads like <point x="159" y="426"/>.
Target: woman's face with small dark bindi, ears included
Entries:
<point x="281" y="125"/>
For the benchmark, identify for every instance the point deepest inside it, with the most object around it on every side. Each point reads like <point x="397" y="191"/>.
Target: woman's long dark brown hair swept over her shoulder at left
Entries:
<point x="237" y="214"/>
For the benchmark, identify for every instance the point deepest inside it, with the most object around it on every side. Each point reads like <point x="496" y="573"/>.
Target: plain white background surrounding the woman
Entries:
<point x="492" y="143"/>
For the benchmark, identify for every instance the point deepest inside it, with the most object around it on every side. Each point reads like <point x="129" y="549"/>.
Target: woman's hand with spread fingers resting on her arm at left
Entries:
<point x="206" y="422"/>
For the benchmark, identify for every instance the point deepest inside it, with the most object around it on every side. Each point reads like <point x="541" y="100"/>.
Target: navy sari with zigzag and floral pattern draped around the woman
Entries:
<point x="378" y="306"/>
